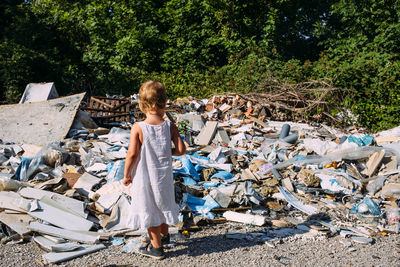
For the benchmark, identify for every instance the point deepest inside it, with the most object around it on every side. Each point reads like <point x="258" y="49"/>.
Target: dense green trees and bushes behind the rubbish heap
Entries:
<point x="203" y="47"/>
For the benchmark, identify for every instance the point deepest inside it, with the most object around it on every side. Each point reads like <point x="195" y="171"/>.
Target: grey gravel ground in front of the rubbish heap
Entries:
<point x="210" y="247"/>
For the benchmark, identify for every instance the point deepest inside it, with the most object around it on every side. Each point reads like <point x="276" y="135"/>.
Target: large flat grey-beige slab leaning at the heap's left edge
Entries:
<point x="39" y="123"/>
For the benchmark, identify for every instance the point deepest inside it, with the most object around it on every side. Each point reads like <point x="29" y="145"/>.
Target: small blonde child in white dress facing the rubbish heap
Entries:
<point x="148" y="166"/>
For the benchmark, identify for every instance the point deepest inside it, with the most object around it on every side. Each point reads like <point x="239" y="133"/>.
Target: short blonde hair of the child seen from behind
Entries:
<point x="152" y="96"/>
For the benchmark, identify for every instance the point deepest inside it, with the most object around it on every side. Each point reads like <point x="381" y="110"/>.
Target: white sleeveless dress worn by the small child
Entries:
<point x="153" y="194"/>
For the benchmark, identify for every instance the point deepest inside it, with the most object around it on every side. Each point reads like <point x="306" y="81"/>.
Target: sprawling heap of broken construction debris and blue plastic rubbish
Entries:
<point x="293" y="179"/>
